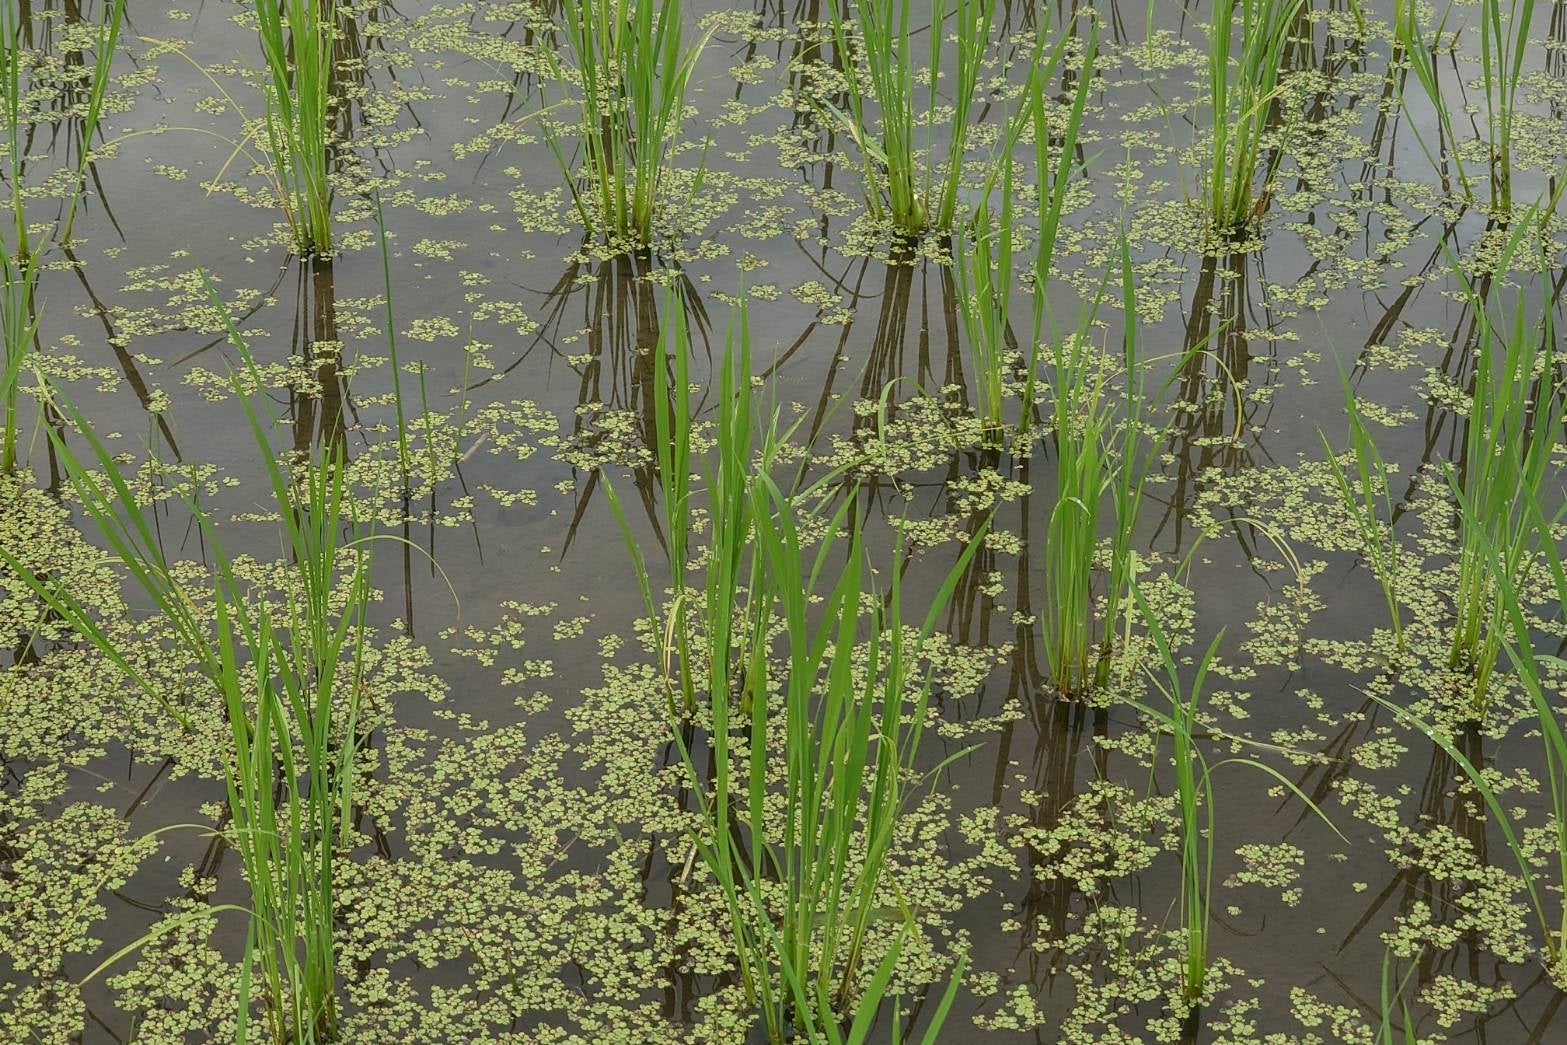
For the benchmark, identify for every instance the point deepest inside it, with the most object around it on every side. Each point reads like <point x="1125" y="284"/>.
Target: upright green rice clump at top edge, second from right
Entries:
<point x="1243" y="92"/>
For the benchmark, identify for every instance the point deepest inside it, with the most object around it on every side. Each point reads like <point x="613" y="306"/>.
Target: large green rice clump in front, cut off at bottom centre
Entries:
<point x="850" y="765"/>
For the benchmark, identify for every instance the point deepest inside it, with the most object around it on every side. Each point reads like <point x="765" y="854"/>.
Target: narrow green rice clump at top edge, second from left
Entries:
<point x="297" y="43"/>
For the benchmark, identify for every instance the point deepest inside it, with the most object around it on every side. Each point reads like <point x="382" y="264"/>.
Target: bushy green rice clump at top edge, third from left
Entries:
<point x="631" y="70"/>
